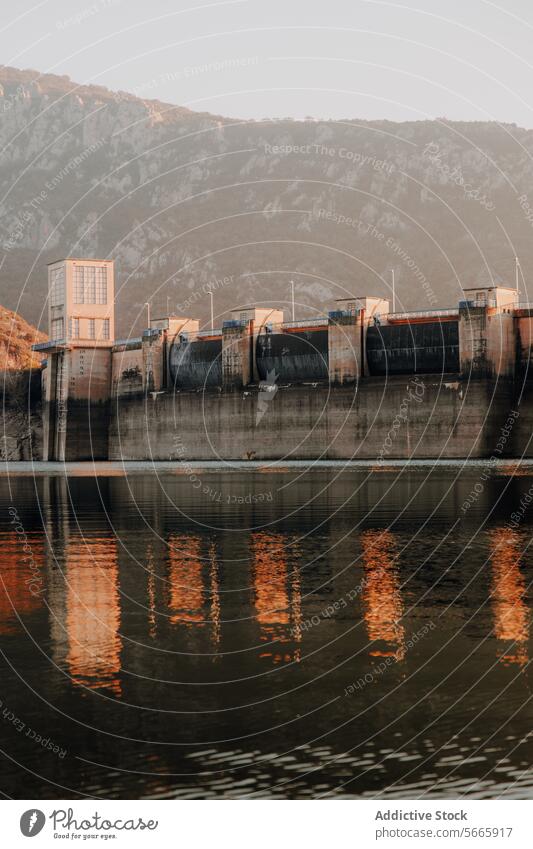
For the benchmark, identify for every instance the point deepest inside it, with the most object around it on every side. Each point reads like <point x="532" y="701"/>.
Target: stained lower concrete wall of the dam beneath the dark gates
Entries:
<point x="419" y="417"/>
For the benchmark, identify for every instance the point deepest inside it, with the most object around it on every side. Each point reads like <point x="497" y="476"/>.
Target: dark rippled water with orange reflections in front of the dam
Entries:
<point x="266" y="633"/>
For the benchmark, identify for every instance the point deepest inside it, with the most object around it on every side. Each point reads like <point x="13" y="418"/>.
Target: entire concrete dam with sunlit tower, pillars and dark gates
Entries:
<point x="359" y="383"/>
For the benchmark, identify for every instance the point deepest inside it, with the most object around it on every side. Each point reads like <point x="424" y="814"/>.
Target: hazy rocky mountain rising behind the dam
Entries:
<point x="186" y="202"/>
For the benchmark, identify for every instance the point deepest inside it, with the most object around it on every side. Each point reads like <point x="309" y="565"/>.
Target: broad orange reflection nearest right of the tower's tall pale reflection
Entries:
<point x="186" y="588"/>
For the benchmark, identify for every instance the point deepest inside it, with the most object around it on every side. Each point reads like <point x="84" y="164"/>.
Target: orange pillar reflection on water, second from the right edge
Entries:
<point x="382" y="593"/>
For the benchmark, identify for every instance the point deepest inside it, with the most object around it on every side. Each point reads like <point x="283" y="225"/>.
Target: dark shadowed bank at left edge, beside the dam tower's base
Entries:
<point x="22" y="431"/>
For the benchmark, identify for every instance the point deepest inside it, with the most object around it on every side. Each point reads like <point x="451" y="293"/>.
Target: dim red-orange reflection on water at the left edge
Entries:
<point x="21" y="578"/>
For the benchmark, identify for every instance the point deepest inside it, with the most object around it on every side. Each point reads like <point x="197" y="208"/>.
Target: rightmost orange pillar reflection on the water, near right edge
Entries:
<point x="511" y="614"/>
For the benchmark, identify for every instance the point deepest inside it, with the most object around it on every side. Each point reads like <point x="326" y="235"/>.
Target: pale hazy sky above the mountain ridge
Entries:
<point x="468" y="60"/>
